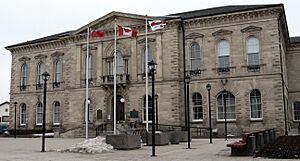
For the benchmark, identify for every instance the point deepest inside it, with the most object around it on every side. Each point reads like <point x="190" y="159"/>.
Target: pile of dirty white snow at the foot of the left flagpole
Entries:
<point x="91" y="146"/>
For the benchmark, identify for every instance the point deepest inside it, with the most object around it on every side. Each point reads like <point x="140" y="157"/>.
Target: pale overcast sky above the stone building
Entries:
<point x="23" y="20"/>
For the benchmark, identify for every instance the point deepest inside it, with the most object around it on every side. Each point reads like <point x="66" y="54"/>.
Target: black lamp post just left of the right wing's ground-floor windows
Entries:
<point x="187" y="80"/>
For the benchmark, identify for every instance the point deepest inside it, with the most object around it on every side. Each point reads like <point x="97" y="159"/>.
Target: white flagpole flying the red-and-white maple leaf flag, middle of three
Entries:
<point x="115" y="80"/>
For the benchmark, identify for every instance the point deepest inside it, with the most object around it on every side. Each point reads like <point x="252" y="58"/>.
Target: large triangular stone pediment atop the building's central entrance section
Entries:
<point x="106" y="23"/>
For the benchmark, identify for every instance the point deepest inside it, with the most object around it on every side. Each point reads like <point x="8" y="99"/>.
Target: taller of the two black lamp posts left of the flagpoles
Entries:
<point x="45" y="76"/>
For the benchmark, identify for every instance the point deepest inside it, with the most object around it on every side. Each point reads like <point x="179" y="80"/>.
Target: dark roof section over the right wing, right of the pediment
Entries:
<point x="221" y="10"/>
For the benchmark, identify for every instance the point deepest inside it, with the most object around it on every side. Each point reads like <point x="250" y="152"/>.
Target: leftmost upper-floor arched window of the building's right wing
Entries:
<point x="195" y="57"/>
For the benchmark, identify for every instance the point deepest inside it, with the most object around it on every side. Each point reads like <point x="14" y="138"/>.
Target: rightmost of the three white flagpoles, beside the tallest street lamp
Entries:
<point x="146" y="72"/>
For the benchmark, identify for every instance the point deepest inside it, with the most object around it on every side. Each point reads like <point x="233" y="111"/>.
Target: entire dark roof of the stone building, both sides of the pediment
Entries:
<point x="184" y="15"/>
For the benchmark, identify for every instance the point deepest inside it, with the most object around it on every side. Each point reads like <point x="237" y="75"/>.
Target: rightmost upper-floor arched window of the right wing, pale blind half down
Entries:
<point x="253" y="51"/>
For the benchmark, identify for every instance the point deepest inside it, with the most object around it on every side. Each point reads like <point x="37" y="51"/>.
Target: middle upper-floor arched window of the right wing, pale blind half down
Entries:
<point x="223" y="54"/>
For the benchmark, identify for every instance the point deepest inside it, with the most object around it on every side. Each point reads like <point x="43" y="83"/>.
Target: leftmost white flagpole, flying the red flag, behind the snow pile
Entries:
<point x="87" y="84"/>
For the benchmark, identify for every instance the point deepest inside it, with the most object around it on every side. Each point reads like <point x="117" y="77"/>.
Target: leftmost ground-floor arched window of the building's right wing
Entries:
<point x="197" y="107"/>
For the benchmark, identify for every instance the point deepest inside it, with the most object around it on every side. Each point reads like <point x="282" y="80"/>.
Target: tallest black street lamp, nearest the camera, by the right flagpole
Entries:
<point x="152" y="68"/>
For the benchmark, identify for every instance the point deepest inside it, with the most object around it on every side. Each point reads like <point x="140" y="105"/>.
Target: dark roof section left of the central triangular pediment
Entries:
<point x="47" y="38"/>
